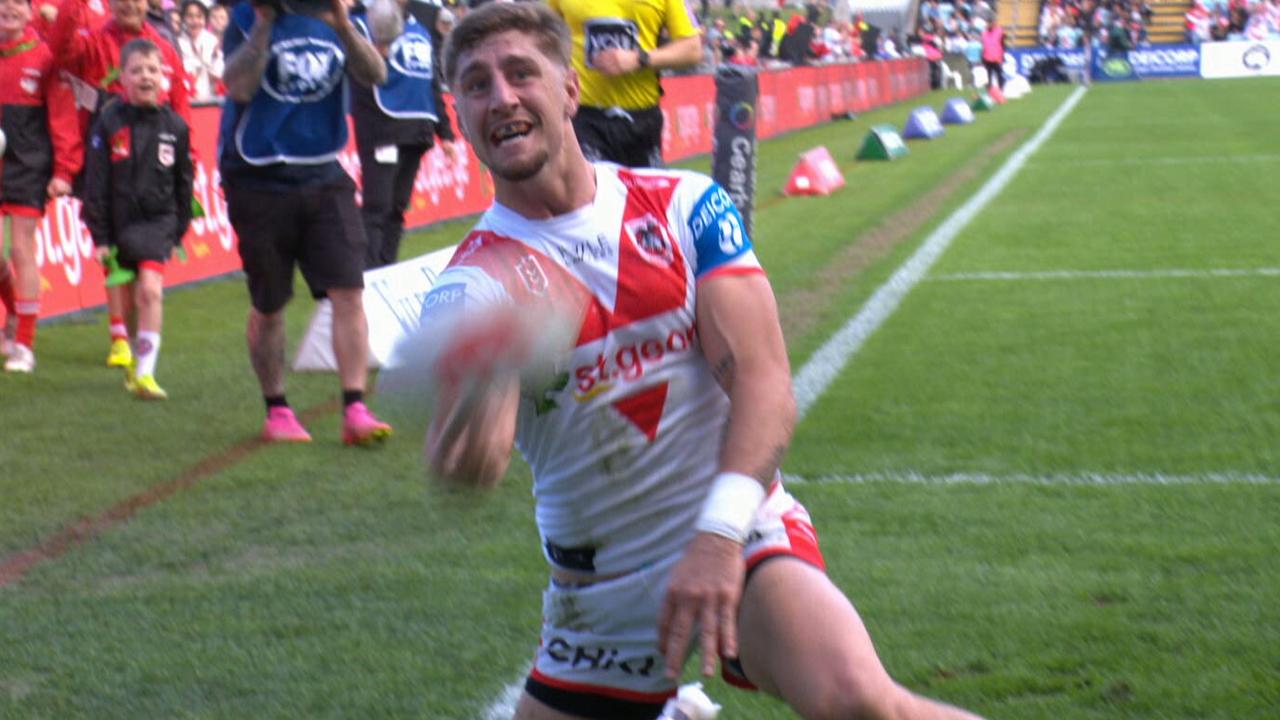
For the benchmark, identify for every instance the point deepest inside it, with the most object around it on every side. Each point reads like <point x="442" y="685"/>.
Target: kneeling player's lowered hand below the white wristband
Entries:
<point x="706" y="589"/>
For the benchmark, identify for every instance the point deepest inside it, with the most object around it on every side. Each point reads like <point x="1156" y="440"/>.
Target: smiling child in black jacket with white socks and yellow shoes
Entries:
<point x="138" y="197"/>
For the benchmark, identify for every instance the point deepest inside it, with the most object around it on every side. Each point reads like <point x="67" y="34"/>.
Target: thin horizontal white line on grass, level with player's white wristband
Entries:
<point x="1063" y="480"/>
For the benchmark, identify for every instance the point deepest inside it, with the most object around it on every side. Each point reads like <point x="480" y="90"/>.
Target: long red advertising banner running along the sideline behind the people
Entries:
<point x="790" y="99"/>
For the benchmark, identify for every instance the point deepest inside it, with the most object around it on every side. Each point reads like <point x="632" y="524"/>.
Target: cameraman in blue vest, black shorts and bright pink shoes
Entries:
<point x="289" y="199"/>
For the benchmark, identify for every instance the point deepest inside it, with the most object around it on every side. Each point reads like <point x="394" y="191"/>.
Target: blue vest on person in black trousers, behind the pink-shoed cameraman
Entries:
<point x="410" y="69"/>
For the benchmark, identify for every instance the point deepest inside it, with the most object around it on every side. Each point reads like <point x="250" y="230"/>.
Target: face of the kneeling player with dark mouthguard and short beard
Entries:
<point x="515" y="104"/>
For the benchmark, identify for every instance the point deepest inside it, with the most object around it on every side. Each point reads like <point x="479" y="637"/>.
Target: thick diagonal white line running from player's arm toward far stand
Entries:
<point x="822" y="368"/>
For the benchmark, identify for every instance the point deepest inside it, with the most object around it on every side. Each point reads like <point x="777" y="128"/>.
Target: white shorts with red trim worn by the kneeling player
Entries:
<point x="598" y="655"/>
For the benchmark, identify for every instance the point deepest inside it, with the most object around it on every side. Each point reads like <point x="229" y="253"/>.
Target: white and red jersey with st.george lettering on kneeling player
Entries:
<point x="624" y="445"/>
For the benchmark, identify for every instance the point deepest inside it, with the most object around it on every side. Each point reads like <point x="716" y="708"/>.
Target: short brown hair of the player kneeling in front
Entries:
<point x="532" y="19"/>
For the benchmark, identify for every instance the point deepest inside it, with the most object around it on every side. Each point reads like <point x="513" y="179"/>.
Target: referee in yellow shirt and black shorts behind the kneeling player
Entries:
<point x="618" y="60"/>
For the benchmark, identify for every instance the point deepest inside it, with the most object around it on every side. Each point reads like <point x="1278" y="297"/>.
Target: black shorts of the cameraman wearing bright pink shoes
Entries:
<point x="317" y="230"/>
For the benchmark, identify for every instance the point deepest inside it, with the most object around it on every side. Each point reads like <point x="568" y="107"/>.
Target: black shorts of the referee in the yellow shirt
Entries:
<point x="628" y="138"/>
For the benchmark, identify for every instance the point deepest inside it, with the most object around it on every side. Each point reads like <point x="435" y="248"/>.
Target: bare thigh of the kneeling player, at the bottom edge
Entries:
<point x="801" y="639"/>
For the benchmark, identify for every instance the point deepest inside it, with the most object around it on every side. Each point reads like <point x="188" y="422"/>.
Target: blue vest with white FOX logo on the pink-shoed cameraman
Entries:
<point x="299" y="116"/>
